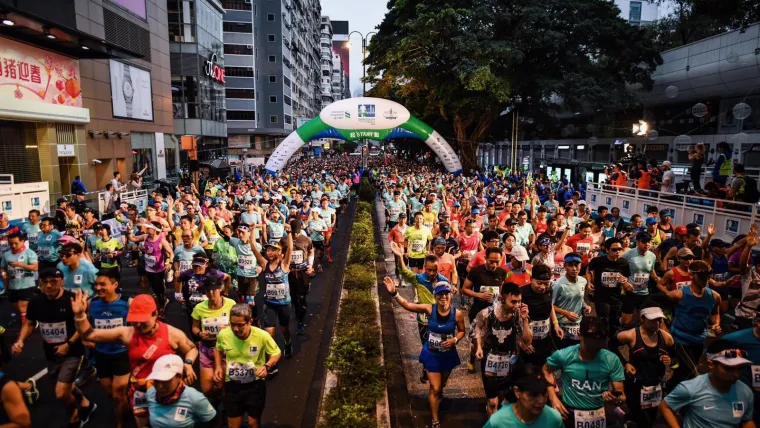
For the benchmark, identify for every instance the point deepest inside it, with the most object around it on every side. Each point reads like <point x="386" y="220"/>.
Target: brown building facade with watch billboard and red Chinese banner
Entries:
<point x="104" y="65"/>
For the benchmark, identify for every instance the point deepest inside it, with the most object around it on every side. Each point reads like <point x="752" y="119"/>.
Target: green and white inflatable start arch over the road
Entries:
<point x="364" y="118"/>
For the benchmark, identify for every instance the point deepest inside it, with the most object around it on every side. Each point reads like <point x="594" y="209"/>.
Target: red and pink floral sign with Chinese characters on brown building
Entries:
<point x="28" y="73"/>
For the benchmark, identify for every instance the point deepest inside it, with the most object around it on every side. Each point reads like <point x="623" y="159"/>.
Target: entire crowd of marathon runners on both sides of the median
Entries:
<point x="574" y="317"/>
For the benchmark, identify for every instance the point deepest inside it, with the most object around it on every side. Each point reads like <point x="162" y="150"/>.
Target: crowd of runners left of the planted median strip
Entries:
<point x="236" y="254"/>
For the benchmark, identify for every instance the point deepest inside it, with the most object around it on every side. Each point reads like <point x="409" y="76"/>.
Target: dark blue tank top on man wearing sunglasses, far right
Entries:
<point x="691" y="317"/>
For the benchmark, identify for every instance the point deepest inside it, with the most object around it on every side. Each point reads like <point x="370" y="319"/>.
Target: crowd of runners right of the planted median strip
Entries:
<point x="574" y="317"/>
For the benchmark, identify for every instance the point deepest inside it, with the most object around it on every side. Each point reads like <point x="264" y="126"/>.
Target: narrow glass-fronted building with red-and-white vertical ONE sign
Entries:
<point x="198" y="76"/>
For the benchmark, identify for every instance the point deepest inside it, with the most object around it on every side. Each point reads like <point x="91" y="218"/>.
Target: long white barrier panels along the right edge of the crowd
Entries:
<point x="729" y="221"/>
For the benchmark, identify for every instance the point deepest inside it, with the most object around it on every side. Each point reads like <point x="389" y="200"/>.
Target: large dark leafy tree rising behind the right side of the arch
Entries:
<point x="459" y="64"/>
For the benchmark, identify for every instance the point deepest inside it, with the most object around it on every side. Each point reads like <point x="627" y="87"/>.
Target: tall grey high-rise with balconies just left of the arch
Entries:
<point x="272" y="60"/>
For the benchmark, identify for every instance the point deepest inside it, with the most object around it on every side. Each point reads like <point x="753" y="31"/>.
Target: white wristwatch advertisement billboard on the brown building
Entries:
<point x="131" y="92"/>
